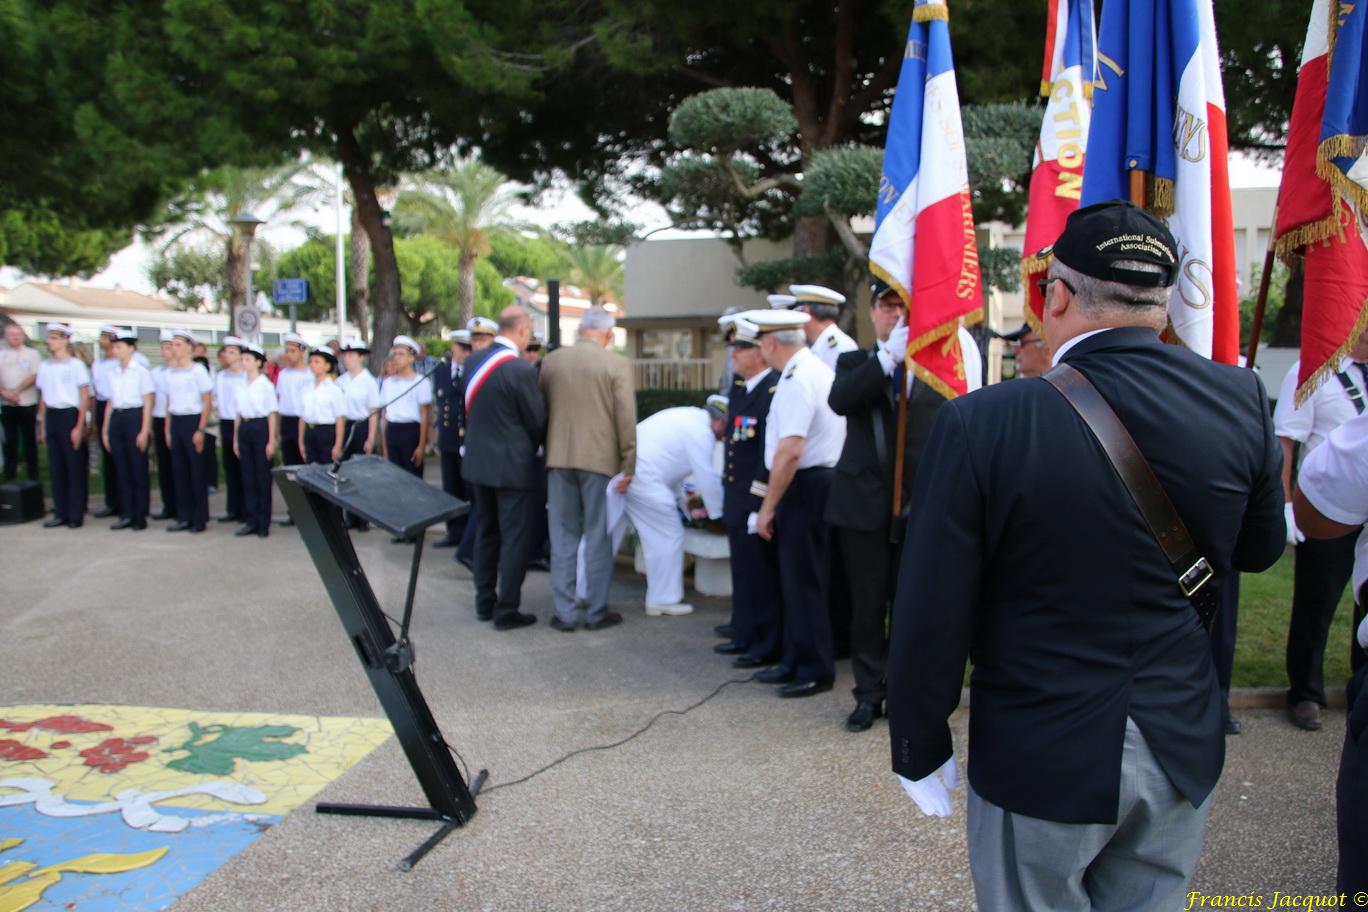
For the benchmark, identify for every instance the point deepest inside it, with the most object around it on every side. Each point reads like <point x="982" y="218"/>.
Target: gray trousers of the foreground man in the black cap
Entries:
<point x="1142" y="863"/>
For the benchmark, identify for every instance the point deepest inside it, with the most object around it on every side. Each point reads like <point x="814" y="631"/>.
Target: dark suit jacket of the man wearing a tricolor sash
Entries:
<point x="505" y="426"/>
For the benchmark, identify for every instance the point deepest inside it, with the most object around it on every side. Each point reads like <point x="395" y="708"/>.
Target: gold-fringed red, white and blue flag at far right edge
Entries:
<point x="1325" y="191"/>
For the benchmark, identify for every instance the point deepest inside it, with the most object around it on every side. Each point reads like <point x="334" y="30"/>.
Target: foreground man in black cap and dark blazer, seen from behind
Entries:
<point x="1096" y="734"/>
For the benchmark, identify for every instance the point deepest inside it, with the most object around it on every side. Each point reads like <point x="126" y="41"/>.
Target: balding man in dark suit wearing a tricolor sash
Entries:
<point x="505" y="422"/>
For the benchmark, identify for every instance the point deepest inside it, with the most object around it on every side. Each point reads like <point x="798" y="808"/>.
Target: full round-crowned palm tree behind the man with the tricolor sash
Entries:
<point x="466" y="204"/>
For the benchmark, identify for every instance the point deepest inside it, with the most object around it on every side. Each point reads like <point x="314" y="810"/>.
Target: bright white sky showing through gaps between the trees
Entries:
<point x="128" y="269"/>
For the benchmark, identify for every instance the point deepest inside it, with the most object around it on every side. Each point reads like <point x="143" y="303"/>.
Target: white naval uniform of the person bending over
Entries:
<point x="671" y="446"/>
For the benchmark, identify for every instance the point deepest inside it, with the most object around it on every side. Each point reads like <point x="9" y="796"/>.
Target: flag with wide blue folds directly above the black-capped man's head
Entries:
<point x="1159" y="109"/>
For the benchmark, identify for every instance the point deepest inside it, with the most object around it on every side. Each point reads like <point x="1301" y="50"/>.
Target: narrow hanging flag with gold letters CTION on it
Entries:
<point x="1057" y="178"/>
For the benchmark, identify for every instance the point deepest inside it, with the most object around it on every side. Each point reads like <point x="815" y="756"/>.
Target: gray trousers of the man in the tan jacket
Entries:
<point x="574" y="494"/>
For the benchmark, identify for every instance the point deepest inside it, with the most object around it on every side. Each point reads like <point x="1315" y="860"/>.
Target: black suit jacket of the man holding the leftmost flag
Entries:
<point x="863" y="490"/>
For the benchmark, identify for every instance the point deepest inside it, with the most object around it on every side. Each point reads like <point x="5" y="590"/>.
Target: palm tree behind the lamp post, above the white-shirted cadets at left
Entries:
<point x="225" y="193"/>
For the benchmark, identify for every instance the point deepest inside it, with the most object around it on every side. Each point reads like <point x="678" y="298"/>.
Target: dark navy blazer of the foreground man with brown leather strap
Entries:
<point x="1027" y="556"/>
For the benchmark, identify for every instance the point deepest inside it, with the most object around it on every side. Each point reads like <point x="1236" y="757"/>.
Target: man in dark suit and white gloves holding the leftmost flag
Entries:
<point x="861" y="505"/>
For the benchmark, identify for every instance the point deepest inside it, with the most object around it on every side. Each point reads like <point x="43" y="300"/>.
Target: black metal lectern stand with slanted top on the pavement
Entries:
<point x="404" y="505"/>
